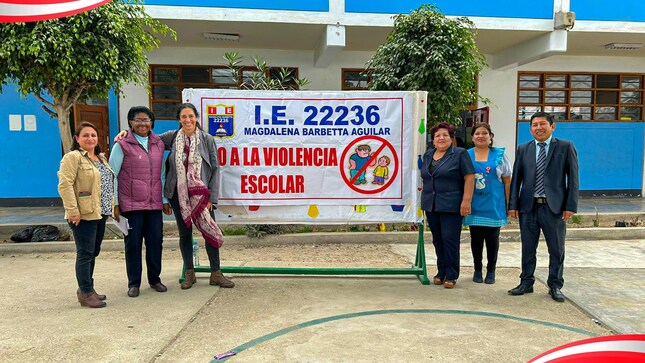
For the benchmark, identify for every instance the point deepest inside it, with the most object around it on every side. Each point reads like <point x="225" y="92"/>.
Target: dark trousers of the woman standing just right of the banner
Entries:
<point x="446" y="232"/>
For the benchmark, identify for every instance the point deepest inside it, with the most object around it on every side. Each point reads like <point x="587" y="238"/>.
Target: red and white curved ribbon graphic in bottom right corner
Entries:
<point x="629" y="348"/>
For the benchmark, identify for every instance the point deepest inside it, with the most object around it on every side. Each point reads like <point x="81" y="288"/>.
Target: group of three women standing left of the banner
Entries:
<point x="138" y="185"/>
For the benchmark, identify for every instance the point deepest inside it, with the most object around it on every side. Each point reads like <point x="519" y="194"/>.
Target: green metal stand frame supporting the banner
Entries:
<point x="418" y="269"/>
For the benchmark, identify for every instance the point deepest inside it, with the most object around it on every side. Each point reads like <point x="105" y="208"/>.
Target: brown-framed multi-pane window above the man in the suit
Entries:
<point x="581" y="96"/>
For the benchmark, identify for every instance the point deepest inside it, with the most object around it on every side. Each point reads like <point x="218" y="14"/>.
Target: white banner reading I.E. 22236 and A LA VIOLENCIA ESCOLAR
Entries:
<point x="281" y="149"/>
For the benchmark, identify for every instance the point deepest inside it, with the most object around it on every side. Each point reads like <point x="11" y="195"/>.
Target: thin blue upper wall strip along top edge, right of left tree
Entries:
<point x="309" y="5"/>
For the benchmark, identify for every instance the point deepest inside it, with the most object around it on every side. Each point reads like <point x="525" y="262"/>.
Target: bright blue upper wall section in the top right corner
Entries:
<point x="607" y="10"/>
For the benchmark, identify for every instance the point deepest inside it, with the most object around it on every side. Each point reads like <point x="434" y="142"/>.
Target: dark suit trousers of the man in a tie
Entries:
<point x="554" y="229"/>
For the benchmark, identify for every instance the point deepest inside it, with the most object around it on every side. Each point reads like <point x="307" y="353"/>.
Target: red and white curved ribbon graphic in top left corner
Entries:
<point x="12" y="11"/>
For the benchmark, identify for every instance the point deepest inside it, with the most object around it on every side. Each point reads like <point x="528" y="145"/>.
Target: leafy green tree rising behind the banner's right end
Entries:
<point x="426" y="51"/>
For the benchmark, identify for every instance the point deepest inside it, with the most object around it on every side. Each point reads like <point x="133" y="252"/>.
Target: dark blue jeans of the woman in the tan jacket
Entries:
<point x="88" y="236"/>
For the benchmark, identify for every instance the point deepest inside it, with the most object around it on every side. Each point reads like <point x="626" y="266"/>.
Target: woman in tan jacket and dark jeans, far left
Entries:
<point x="86" y="186"/>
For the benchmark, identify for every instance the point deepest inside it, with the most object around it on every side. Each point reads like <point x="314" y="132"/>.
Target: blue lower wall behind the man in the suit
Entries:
<point x="610" y="154"/>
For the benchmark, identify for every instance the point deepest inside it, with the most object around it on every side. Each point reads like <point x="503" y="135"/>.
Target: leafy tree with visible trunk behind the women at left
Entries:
<point x="79" y="57"/>
